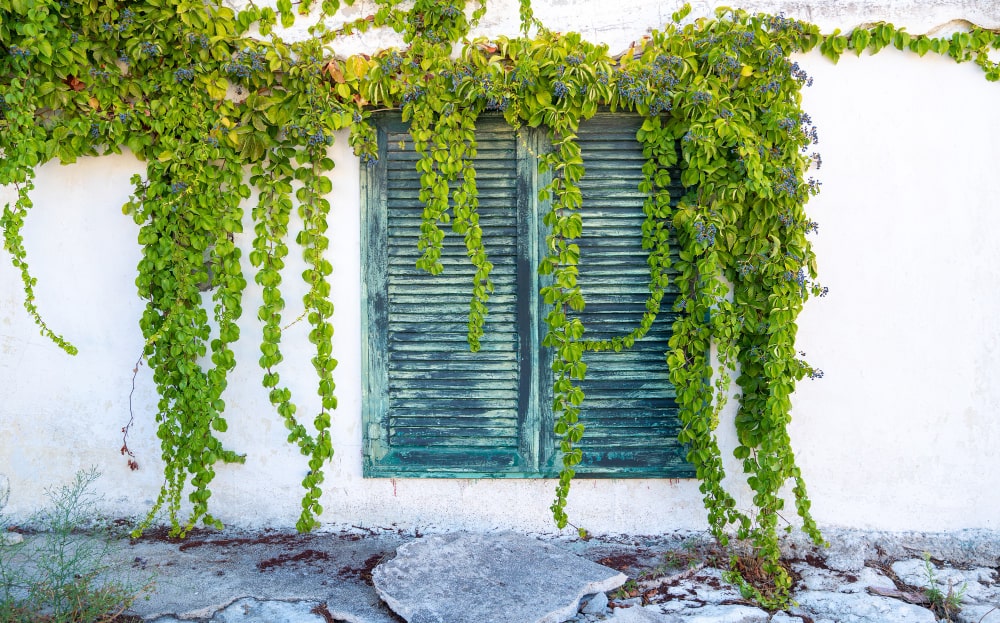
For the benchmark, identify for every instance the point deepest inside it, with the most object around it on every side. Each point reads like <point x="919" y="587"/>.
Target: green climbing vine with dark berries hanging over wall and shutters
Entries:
<point x="225" y="112"/>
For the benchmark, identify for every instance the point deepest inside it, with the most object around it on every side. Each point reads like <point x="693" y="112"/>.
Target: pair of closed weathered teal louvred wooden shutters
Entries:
<point x="433" y="409"/>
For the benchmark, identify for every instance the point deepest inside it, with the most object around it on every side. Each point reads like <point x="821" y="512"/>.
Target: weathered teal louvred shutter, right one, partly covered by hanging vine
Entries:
<point x="629" y="412"/>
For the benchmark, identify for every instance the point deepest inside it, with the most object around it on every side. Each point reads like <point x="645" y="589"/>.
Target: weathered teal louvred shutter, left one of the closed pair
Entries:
<point x="431" y="407"/>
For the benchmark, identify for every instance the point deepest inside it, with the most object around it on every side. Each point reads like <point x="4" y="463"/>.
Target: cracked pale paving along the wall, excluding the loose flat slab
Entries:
<point x="283" y="577"/>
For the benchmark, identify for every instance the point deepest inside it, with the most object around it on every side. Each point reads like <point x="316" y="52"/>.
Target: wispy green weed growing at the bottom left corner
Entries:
<point x="69" y="572"/>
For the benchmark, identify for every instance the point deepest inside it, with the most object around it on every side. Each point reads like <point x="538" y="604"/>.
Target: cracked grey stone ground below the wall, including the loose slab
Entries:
<point x="351" y="576"/>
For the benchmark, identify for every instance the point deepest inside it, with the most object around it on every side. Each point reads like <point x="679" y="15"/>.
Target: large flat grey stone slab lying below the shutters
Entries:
<point x="501" y="578"/>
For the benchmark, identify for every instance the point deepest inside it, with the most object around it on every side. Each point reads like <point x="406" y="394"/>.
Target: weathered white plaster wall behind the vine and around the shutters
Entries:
<point x="900" y="434"/>
